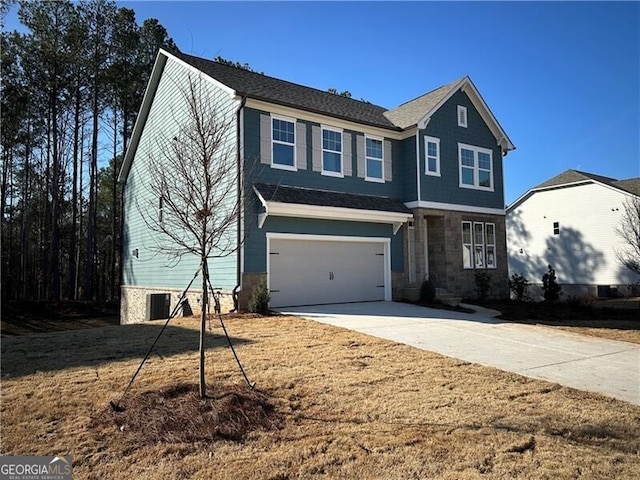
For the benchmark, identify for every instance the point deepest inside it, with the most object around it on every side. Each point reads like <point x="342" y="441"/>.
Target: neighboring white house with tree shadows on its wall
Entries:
<point x="570" y="222"/>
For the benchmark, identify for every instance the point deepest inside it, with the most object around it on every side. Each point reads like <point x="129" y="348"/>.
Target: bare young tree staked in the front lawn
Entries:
<point x="193" y="182"/>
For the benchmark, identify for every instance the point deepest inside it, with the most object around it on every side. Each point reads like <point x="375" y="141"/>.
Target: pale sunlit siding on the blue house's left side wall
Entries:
<point x="168" y="112"/>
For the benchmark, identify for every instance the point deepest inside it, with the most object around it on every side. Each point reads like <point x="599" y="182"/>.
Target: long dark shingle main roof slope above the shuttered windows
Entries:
<point x="262" y="87"/>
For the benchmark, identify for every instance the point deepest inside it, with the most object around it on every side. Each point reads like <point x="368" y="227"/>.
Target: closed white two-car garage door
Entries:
<point x="311" y="271"/>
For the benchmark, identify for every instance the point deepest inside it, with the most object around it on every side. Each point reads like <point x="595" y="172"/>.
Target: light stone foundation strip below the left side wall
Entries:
<point x="133" y="302"/>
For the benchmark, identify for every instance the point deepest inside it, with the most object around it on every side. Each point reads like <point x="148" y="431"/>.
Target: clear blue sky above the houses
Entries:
<point x="562" y="78"/>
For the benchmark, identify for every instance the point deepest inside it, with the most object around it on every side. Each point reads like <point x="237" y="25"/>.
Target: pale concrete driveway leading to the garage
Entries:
<point x="579" y="361"/>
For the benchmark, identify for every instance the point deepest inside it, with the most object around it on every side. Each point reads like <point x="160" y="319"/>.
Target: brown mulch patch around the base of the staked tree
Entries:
<point x="178" y="414"/>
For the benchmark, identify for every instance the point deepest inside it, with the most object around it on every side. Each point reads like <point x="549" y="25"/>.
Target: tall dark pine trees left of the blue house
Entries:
<point x="72" y="84"/>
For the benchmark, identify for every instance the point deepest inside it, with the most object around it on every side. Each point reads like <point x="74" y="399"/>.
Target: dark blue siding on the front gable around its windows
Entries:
<point x="444" y="125"/>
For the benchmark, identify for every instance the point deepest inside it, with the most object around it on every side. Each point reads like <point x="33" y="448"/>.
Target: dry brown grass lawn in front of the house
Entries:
<point x="352" y="406"/>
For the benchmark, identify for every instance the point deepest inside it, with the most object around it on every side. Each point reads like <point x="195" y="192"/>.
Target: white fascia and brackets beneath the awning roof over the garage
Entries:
<point x="280" y="209"/>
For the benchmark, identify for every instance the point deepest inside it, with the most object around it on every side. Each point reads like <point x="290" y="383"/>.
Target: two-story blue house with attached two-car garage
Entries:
<point x="346" y="201"/>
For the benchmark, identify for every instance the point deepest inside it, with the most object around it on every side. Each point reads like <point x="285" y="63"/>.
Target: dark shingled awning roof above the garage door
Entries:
<point x="323" y="198"/>
